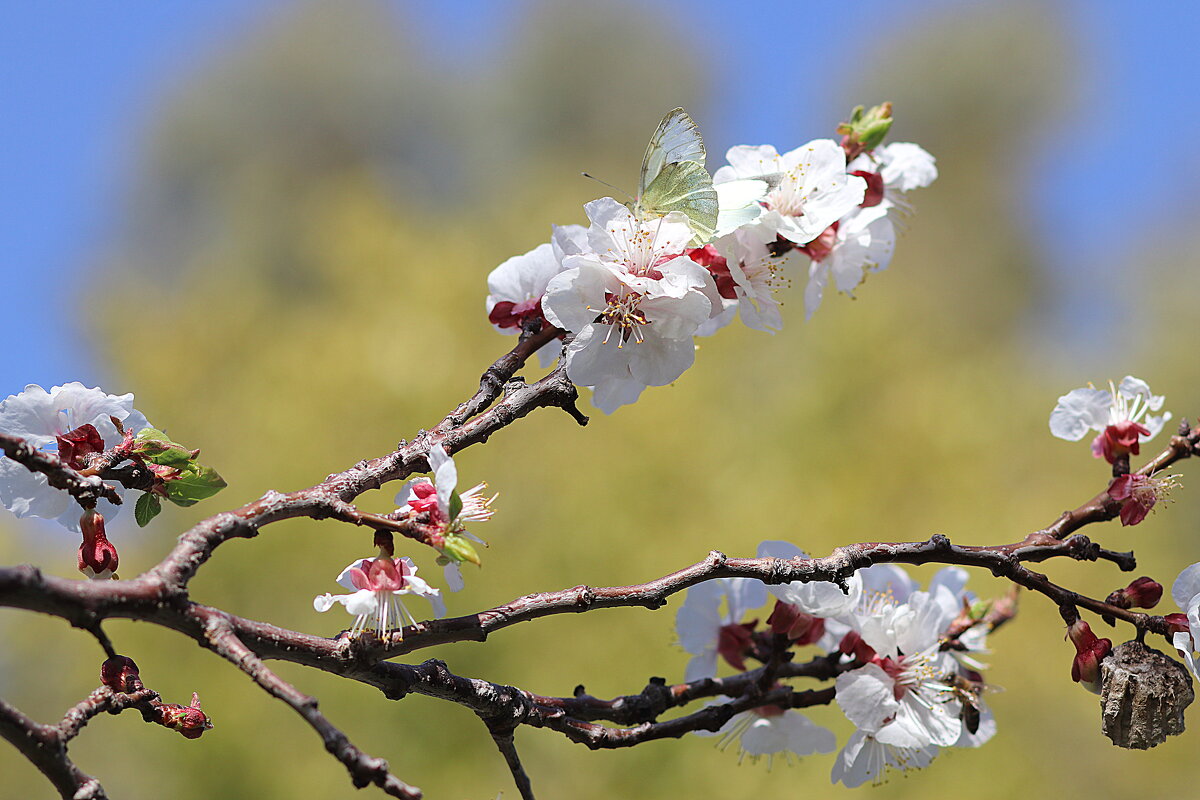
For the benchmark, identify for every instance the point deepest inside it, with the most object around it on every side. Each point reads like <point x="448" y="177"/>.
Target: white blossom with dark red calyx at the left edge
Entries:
<point x="73" y="422"/>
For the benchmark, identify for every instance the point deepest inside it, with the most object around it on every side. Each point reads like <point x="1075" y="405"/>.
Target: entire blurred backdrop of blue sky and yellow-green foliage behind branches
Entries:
<point x="273" y="222"/>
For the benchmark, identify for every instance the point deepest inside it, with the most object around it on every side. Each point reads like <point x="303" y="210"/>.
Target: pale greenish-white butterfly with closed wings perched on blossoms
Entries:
<point x="674" y="177"/>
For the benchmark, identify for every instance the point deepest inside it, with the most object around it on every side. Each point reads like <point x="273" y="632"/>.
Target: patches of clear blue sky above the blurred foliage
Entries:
<point x="83" y="79"/>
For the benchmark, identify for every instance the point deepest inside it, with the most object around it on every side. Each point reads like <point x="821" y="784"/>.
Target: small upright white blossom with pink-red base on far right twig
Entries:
<point x="1120" y="416"/>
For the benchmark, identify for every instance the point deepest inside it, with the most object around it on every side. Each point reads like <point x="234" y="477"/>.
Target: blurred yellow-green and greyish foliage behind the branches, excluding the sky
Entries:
<point x="307" y="250"/>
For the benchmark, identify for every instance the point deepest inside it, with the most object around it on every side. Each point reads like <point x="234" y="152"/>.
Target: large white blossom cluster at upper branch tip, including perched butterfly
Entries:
<point x="632" y="291"/>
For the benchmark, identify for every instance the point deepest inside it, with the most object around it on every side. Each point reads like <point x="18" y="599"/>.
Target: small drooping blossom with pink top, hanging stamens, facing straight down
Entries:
<point x="376" y="604"/>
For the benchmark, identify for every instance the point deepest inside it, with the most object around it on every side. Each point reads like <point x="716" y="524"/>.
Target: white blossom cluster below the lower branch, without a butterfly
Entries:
<point x="907" y="659"/>
